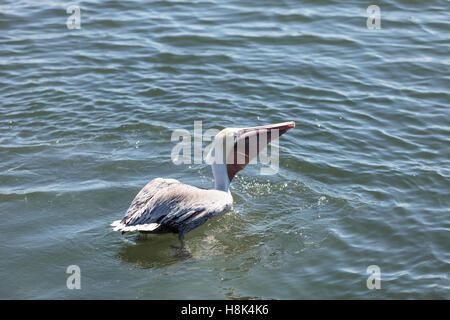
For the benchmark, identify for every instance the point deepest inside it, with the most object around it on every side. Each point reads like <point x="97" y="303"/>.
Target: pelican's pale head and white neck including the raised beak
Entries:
<point x="233" y="148"/>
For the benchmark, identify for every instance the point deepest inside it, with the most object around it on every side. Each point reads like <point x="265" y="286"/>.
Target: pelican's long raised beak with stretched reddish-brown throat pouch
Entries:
<point x="250" y="141"/>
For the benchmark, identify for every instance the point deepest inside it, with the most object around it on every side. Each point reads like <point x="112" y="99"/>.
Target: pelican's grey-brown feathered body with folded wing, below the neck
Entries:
<point x="168" y="205"/>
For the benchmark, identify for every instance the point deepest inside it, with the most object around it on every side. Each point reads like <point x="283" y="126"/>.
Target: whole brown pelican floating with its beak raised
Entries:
<point x="167" y="205"/>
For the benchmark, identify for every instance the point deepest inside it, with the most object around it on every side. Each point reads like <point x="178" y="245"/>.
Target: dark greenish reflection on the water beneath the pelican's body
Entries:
<point x="154" y="251"/>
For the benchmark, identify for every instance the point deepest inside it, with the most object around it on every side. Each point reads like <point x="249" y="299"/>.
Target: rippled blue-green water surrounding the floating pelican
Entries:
<point x="86" y="119"/>
